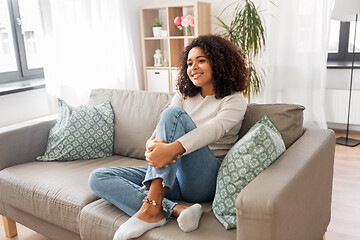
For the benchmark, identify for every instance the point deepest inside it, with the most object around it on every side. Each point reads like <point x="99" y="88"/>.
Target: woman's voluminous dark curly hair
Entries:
<point x="227" y="62"/>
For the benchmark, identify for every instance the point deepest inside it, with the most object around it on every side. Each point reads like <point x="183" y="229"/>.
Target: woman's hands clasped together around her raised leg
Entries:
<point x="160" y="154"/>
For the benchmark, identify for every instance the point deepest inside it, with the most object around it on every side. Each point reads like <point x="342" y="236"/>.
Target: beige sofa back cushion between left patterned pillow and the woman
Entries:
<point x="136" y="115"/>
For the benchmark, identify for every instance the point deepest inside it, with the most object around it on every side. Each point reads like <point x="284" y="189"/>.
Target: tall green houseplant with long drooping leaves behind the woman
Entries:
<point x="247" y="31"/>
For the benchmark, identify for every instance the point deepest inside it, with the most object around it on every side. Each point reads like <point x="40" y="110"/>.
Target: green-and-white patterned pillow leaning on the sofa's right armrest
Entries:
<point x="252" y="154"/>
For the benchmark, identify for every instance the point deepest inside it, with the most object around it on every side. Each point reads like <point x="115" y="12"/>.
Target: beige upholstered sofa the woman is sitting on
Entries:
<point x="289" y="200"/>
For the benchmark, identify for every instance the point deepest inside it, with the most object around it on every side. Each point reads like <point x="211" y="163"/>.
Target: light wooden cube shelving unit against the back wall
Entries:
<point x="172" y="42"/>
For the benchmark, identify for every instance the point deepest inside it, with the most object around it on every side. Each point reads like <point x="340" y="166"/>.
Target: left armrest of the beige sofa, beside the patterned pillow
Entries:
<point x="22" y="143"/>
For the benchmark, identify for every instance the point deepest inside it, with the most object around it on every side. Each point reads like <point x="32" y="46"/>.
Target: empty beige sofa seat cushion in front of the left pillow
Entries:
<point x="54" y="191"/>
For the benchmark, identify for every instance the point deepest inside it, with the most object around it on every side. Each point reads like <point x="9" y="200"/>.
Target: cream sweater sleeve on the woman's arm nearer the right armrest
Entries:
<point x="230" y="114"/>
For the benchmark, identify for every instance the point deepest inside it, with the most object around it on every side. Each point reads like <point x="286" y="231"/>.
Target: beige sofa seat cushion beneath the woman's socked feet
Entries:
<point x="100" y="220"/>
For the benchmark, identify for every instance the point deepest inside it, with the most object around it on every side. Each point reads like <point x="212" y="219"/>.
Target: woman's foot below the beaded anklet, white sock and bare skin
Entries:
<point x="147" y="218"/>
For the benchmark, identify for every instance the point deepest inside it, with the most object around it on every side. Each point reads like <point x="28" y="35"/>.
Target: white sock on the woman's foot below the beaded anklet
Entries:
<point x="135" y="227"/>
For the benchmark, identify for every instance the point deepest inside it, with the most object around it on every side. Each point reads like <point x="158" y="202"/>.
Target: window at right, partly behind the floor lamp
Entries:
<point x="341" y="42"/>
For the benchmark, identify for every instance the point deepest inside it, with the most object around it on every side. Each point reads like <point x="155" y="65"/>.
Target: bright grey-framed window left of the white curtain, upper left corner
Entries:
<point x="20" y="34"/>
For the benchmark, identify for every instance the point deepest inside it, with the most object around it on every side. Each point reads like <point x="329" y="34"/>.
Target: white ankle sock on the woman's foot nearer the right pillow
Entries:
<point x="189" y="218"/>
